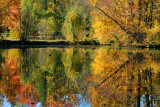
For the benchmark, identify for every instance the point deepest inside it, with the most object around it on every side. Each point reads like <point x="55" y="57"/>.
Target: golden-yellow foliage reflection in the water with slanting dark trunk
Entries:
<point x="125" y="77"/>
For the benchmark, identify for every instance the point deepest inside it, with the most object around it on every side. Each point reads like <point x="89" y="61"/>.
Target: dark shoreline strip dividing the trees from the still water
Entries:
<point x="62" y="43"/>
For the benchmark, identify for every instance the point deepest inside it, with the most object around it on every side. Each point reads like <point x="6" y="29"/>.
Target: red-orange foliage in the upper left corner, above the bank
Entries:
<point x="10" y="12"/>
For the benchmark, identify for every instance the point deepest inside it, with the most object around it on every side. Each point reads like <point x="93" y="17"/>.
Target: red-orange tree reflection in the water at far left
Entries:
<point x="10" y="83"/>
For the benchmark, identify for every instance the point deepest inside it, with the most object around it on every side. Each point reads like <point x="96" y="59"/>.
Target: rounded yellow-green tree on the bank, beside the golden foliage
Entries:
<point x="76" y="21"/>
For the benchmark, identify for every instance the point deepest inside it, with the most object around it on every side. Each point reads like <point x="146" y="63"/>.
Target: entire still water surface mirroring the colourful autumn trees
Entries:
<point x="83" y="77"/>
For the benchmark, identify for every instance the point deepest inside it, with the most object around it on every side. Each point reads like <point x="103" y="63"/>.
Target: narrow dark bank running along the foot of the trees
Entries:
<point x="68" y="43"/>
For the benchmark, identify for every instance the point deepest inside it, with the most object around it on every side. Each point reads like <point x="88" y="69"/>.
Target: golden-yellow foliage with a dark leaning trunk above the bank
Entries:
<point x="112" y="20"/>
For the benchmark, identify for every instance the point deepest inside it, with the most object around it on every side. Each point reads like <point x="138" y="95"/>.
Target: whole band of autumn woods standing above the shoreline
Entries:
<point x="118" y="22"/>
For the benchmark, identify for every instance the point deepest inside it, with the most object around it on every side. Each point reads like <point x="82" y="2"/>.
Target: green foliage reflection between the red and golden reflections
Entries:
<point x="58" y="75"/>
